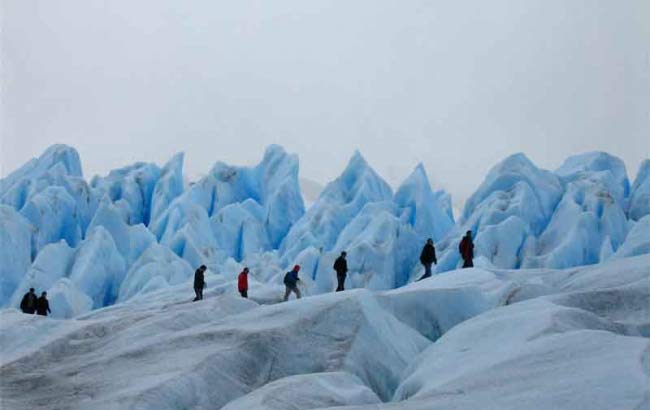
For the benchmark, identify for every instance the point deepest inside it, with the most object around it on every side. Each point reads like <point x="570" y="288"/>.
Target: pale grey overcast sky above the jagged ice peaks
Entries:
<point x="457" y="85"/>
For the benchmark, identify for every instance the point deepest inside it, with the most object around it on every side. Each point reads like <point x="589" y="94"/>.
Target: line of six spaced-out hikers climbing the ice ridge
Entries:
<point x="291" y="279"/>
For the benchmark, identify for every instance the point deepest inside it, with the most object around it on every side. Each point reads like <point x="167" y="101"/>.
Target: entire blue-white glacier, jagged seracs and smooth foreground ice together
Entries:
<point x="554" y="314"/>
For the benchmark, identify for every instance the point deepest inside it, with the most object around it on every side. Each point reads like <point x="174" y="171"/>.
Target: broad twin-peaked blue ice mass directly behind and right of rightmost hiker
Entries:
<point x="522" y="216"/>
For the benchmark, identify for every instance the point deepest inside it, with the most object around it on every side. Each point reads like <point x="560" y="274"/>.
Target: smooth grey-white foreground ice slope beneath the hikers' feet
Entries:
<point x="542" y="339"/>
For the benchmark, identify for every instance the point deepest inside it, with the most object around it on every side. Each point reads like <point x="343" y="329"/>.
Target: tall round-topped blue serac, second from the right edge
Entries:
<point x="590" y="216"/>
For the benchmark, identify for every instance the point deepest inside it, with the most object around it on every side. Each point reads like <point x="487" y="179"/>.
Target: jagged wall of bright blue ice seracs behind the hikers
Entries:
<point x="141" y="228"/>
